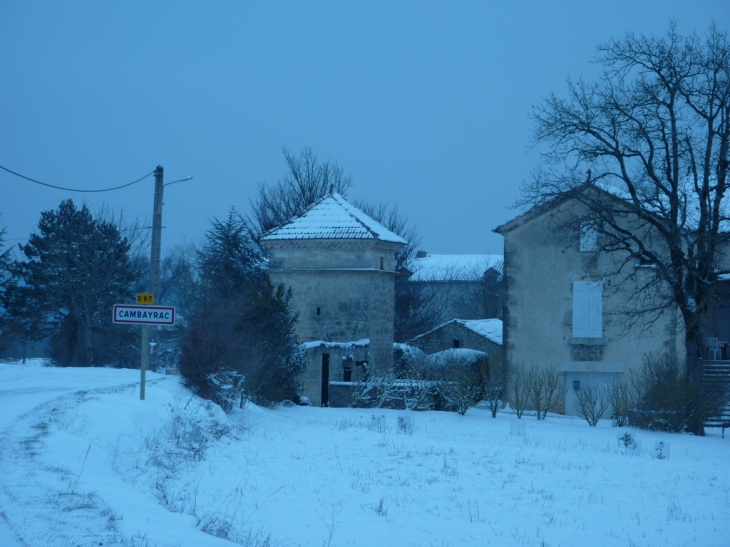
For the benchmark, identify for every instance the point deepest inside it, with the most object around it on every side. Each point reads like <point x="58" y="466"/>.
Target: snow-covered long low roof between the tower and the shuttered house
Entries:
<point x="434" y="267"/>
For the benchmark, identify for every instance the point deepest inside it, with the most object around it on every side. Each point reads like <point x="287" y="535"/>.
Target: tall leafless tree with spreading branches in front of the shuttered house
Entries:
<point x="653" y="134"/>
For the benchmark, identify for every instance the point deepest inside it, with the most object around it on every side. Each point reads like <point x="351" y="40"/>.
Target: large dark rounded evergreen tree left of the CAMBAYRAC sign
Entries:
<point x="76" y="267"/>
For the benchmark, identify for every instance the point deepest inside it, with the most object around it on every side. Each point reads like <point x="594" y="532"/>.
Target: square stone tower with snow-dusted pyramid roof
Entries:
<point x="340" y="264"/>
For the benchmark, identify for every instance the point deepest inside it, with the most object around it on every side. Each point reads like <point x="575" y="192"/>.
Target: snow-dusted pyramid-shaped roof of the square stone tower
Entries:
<point x="333" y="217"/>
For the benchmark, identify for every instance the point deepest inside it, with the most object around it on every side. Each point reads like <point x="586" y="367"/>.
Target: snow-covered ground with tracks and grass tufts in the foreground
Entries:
<point x="84" y="462"/>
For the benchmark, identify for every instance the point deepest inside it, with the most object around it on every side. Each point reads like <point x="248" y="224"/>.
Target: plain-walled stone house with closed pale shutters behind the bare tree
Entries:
<point x="562" y="312"/>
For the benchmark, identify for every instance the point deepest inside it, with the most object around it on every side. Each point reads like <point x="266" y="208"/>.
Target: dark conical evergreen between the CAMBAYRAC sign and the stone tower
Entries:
<point x="239" y="341"/>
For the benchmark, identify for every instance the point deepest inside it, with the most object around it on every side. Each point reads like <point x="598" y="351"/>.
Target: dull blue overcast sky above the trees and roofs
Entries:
<point x="424" y="104"/>
